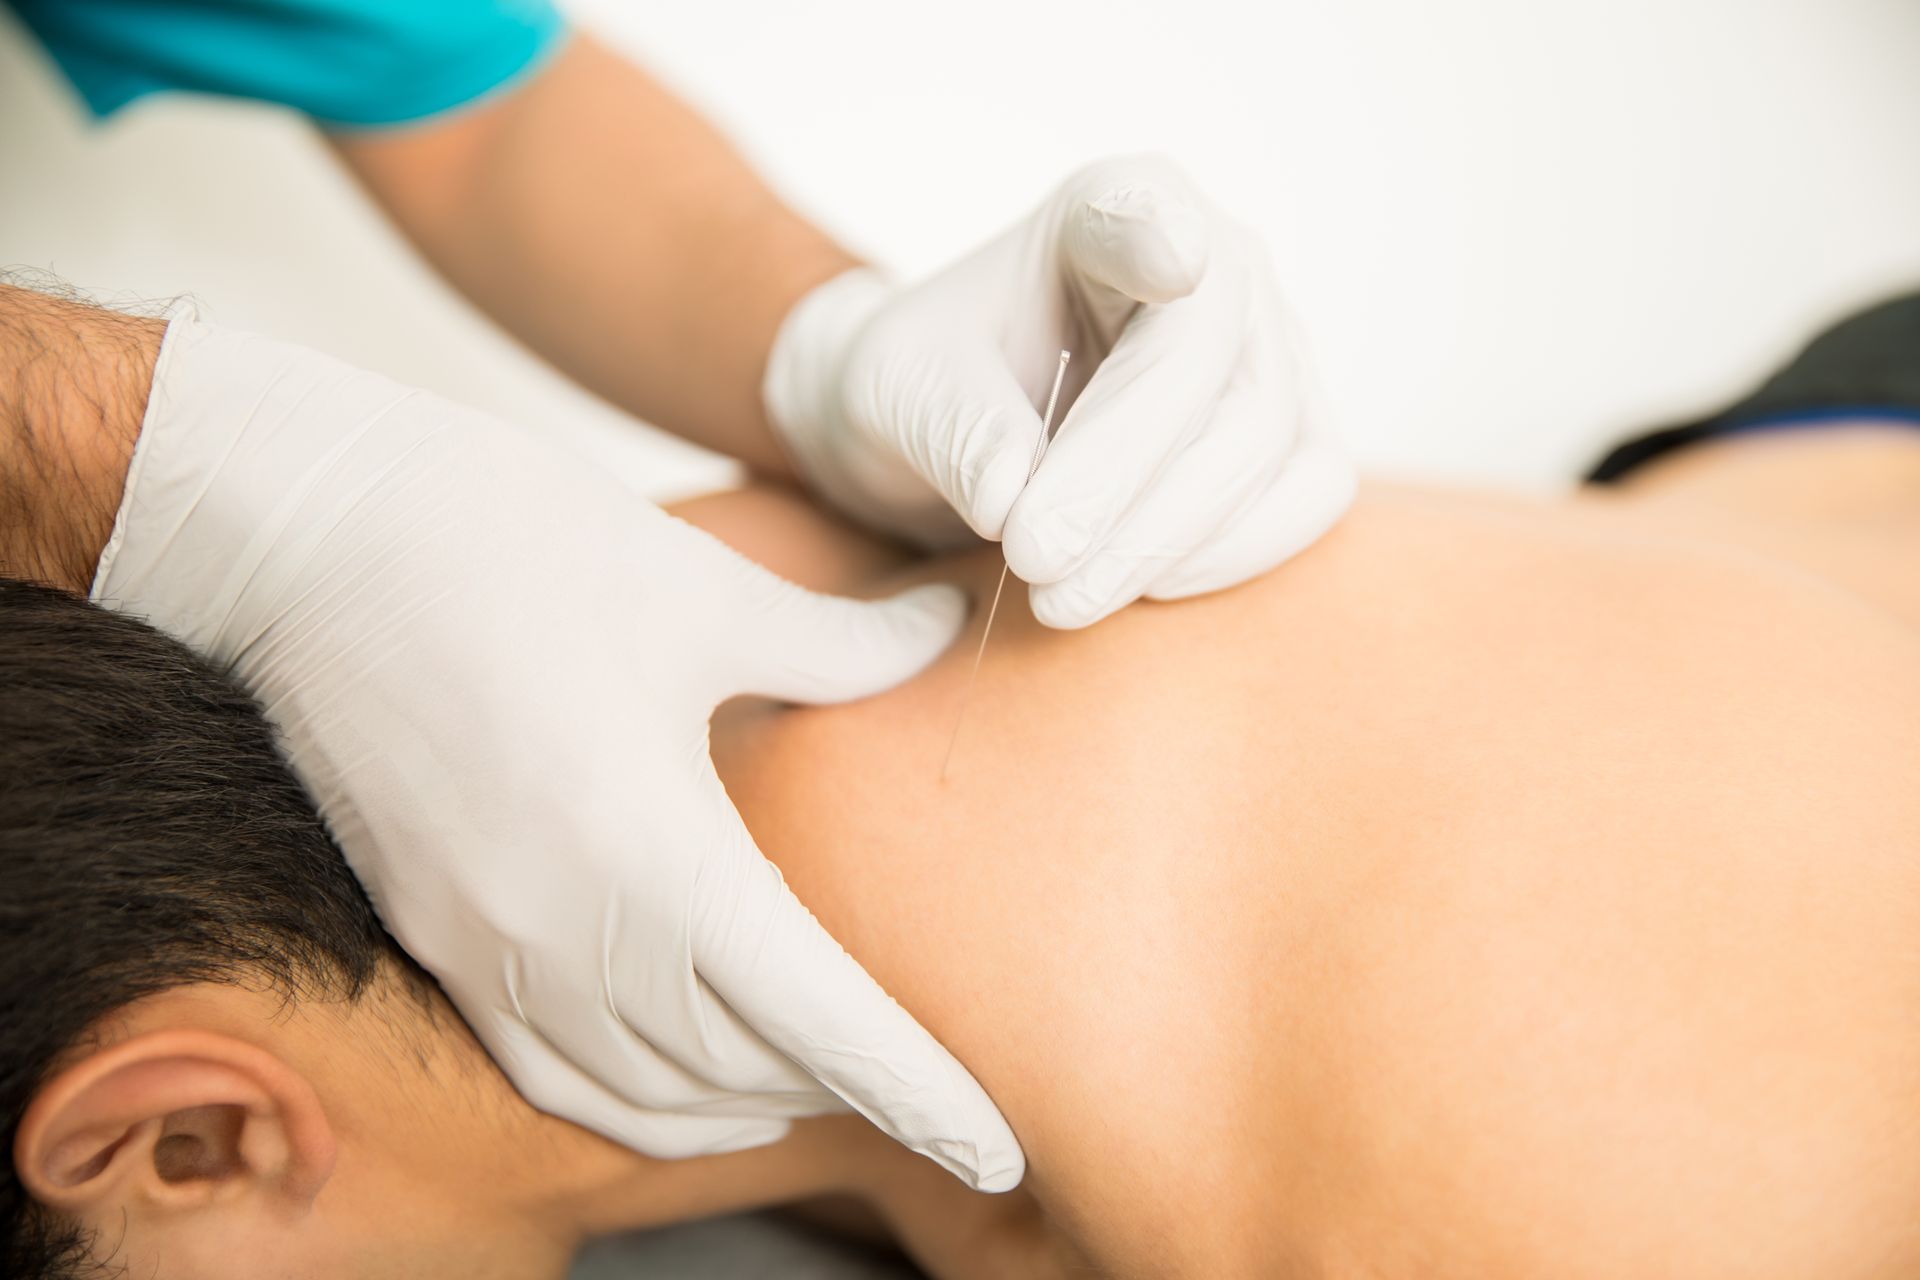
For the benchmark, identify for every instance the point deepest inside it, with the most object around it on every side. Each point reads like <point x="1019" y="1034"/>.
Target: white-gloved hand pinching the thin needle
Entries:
<point x="1191" y="460"/>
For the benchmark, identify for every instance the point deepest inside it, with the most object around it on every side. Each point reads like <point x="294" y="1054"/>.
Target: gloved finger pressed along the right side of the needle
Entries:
<point x="1151" y="396"/>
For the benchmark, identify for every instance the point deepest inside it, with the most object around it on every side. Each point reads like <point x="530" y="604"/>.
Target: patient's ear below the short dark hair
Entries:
<point x="174" y="1122"/>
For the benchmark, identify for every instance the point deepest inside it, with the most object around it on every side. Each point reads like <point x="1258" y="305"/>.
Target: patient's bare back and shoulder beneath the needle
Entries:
<point x="1499" y="889"/>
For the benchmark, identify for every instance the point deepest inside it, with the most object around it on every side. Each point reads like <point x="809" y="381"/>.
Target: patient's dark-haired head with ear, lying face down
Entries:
<point x="214" y="1058"/>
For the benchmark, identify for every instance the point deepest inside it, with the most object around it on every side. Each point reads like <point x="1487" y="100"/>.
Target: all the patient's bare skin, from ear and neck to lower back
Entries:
<point x="1502" y="889"/>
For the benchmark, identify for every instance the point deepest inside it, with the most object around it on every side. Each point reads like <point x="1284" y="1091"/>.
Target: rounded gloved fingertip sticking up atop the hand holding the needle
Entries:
<point x="1136" y="227"/>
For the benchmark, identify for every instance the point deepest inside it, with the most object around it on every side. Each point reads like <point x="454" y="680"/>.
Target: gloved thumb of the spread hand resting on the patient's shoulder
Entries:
<point x="809" y="648"/>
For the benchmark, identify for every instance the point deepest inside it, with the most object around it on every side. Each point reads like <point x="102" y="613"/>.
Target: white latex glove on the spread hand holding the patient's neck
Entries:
<point x="494" y="671"/>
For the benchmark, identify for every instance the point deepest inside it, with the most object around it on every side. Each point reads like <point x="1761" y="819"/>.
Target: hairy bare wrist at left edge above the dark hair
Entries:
<point x="74" y="387"/>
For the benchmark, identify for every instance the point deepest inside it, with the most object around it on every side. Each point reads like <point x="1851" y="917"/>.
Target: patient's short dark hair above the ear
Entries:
<point x="151" y="836"/>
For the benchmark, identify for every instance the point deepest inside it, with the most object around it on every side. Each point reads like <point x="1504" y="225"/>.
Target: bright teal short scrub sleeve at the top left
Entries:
<point x="348" y="64"/>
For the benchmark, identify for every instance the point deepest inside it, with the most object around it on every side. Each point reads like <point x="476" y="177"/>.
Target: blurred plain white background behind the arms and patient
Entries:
<point x="1514" y="227"/>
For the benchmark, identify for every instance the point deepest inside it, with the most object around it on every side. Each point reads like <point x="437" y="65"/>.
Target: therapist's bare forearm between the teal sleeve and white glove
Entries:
<point x="617" y="233"/>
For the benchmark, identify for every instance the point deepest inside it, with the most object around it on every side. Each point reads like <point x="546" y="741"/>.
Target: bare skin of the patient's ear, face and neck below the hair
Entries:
<point x="218" y="1131"/>
